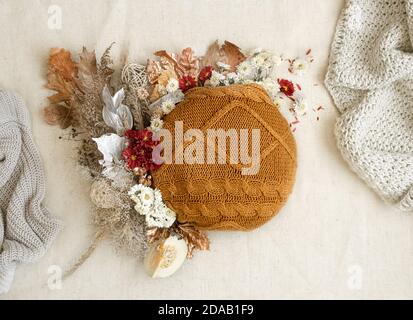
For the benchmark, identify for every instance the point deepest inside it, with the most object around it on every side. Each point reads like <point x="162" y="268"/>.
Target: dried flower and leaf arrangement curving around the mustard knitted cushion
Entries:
<point x="117" y="135"/>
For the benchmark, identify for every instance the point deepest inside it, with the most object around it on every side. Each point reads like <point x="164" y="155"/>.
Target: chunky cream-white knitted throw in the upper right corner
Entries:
<point x="370" y="78"/>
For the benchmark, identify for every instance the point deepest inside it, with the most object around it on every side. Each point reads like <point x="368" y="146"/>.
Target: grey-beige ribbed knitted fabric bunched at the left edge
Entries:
<point x="26" y="227"/>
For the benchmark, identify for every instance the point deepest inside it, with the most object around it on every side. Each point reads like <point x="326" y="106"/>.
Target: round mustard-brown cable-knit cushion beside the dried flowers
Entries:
<point x="219" y="196"/>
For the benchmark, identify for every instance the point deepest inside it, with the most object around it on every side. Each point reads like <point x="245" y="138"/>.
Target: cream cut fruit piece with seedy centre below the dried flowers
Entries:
<point x="165" y="257"/>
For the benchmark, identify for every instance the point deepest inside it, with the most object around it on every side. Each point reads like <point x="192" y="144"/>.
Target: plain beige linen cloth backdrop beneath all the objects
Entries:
<point x="334" y="239"/>
